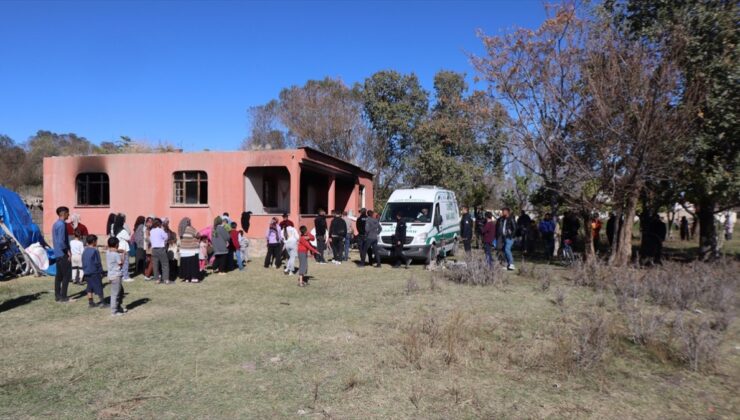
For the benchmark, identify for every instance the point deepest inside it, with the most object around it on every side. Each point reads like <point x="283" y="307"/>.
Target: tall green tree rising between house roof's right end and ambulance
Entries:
<point x="395" y="106"/>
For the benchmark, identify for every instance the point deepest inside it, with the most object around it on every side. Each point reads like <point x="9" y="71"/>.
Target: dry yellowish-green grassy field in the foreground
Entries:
<point x="357" y="343"/>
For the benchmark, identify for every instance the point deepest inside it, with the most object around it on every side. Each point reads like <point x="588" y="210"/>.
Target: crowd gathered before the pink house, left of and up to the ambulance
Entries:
<point x="162" y="255"/>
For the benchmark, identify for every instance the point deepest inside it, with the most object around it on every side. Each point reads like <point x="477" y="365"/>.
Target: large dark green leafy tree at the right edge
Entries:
<point x="703" y="36"/>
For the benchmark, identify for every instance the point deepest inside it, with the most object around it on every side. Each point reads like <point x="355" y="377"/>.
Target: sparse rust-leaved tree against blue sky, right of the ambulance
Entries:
<point x="535" y="74"/>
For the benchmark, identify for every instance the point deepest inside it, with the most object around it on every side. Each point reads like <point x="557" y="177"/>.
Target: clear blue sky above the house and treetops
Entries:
<point x="186" y="72"/>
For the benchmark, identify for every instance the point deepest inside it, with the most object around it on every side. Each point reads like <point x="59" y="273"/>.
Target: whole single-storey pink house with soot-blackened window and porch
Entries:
<point x="203" y="185"/>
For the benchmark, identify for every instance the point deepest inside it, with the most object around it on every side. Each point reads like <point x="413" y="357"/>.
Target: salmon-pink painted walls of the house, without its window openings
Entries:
<point x="141" y="184"/>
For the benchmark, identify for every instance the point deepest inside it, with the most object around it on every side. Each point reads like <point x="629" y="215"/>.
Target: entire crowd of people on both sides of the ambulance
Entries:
<point x="162" y="255"/>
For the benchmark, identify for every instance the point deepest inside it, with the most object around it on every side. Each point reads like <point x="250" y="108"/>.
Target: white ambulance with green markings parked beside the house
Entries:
<point x="432" y="222"/>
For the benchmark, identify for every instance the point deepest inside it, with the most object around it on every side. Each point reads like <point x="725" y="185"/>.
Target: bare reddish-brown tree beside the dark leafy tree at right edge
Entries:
<point x="636" y="130"/>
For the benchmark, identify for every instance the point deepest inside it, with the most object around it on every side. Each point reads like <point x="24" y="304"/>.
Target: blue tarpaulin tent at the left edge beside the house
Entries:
<point x="16" y="222"/>
